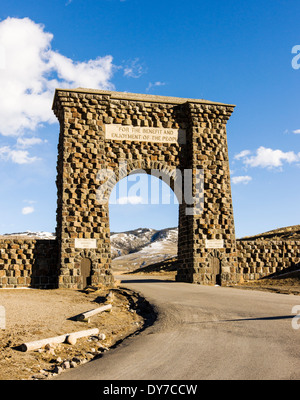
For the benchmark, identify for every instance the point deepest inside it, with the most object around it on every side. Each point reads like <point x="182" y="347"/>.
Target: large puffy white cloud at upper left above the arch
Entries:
<point x="31" y="72"/>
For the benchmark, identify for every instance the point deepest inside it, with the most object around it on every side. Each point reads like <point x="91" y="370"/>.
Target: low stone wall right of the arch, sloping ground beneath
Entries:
<point x="259" y="258"/>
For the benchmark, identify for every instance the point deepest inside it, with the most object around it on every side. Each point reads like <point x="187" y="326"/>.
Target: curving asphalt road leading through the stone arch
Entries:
<point x="204" y="333"/>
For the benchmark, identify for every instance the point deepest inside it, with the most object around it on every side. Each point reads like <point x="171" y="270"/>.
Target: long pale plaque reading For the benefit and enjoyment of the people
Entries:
<point x="145" y="134"/>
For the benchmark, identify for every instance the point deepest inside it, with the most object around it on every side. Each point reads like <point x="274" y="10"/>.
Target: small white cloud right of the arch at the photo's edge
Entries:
<point x="269" y="158"/>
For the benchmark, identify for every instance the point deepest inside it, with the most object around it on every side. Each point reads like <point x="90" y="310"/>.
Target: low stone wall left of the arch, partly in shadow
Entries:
<point x="28" y="263"/>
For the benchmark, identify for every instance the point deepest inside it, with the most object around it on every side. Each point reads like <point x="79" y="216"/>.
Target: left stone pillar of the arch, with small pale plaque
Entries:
<point x="82" y="223"/>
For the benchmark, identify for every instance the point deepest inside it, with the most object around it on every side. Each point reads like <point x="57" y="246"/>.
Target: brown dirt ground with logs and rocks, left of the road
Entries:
<point x="33" y="314"/>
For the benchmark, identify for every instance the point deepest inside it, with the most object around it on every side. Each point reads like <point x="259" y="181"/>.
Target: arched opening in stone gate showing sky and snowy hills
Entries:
<point x="143" y="214"/>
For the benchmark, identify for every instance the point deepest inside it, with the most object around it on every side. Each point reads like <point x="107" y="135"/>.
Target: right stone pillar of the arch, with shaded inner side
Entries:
<point x="209" y="233"/>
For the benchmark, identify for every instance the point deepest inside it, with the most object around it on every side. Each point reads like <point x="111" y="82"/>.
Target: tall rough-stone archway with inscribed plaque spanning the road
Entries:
<point x="106" y="135"/>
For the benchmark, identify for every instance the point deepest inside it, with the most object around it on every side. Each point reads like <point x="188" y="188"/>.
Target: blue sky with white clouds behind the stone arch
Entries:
<point x="228" y="51"/>
